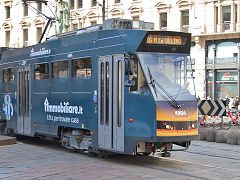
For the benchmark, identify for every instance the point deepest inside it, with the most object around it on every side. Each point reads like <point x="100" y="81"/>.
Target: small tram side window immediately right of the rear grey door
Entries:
<point x="41" y="71"/>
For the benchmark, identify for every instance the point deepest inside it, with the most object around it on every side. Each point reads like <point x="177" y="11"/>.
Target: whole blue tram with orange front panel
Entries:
<point x="107" y="89"/>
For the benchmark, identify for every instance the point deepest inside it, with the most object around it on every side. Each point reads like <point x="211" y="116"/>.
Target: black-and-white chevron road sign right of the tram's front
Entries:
<point x="212" y="107"/>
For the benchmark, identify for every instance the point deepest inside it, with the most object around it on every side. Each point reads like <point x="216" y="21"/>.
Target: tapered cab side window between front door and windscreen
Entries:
<point x="138" y="77"/>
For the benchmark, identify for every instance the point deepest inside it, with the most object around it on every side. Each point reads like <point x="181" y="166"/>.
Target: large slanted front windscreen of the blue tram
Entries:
<point x="166" y="75"/>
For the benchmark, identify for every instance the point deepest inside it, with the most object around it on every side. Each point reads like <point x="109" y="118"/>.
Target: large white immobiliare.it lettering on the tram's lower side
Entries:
<point x="63" y="107"/>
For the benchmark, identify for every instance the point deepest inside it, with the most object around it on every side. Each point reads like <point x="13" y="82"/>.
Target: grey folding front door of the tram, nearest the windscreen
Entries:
<point x="111" y="102"/>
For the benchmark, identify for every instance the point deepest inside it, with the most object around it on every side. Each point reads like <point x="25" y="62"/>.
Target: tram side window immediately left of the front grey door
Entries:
<point x="82" y="67"/>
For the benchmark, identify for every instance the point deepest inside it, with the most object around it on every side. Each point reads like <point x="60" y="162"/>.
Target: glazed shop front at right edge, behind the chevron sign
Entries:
<point x="222" y="68"/>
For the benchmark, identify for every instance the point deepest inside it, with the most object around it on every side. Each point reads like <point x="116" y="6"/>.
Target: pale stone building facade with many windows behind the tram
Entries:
<point x="214" y="25"/>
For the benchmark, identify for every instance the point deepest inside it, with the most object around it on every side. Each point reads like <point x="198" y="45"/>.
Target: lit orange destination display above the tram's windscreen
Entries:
<point x="166" y="40"/>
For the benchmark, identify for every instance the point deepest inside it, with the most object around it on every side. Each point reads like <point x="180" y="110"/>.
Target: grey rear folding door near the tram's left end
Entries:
<point x="23" y="100"/>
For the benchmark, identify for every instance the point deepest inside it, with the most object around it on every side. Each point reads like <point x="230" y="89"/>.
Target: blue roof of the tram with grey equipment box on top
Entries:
<point x="130" y="36"/>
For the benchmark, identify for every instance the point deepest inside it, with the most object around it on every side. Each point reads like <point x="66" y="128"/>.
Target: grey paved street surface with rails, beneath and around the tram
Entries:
<point x="45" y="160"/>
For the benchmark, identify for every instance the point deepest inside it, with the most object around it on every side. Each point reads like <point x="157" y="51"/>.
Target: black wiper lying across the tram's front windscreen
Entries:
<point x="166" y="96"/>
